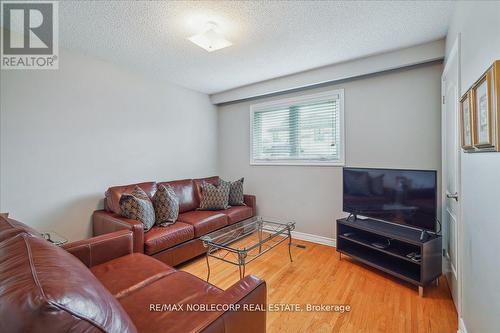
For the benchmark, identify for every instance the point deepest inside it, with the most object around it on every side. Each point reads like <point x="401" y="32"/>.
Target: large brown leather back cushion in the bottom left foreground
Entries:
<point x="46" y="289"/>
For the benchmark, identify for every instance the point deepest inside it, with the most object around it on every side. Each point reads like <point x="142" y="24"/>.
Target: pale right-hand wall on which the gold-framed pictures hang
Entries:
<point x="478" y="24"/>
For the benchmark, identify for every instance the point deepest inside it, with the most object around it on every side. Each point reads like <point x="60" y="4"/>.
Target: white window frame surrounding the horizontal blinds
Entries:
<point x="287" y="102"/>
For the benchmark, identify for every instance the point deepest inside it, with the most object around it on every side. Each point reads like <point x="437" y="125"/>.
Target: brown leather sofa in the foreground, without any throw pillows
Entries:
<point x="101" y="285"/>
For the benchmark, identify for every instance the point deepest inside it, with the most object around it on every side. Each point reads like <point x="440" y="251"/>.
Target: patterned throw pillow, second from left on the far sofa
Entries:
<point x="166" y="205"/>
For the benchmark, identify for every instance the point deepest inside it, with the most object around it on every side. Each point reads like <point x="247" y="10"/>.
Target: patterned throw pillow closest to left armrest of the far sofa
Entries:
<point x="137" y="206"/>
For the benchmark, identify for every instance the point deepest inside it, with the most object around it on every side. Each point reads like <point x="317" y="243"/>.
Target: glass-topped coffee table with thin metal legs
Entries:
<point x="245" y="241"/>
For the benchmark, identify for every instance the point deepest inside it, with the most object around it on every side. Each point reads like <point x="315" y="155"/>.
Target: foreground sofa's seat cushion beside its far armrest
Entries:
<point x="126" y="274"/>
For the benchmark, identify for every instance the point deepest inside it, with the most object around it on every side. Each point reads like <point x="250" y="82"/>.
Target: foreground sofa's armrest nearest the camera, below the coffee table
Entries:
<point x="250" y="294"/>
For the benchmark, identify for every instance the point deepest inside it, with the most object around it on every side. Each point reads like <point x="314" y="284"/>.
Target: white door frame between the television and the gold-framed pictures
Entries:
<point x="453" y="55"/>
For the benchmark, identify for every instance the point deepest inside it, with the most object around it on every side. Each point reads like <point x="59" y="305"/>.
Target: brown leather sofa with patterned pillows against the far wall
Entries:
<point x="179" y="242"/>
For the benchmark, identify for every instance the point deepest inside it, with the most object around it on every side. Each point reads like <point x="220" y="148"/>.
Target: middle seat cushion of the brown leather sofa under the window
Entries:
<point x="204" y="221"/>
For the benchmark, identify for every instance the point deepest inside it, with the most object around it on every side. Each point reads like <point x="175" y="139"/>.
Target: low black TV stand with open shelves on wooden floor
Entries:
<point x="355" y="238"/>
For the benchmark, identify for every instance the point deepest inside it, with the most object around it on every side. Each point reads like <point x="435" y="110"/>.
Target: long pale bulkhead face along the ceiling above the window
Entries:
<point x="401" y="58"/>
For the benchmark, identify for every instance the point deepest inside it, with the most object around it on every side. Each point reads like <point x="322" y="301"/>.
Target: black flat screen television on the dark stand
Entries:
<point x="407" y="197"/>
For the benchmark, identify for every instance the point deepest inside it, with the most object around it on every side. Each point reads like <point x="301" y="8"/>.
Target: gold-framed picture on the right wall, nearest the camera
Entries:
<point x="485" y="108"/>
